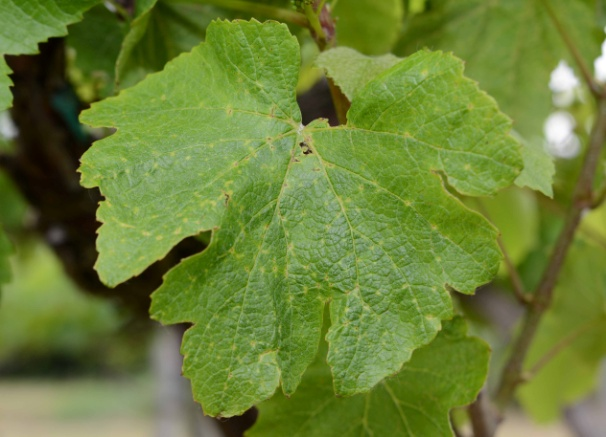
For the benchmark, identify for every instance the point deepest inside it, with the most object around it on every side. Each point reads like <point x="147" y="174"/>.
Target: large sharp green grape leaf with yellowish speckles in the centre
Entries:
<point x="301" y="215"/>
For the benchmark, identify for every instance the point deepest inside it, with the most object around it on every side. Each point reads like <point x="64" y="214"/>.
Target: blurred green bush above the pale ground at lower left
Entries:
<point x="48" y="326"/>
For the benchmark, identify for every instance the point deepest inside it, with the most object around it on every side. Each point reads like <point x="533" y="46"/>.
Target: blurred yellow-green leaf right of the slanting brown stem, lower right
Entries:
<point x="576" y="320"/>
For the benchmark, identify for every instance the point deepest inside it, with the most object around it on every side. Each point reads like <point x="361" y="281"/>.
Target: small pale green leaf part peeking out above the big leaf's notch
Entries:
<point x="351" y="70"/>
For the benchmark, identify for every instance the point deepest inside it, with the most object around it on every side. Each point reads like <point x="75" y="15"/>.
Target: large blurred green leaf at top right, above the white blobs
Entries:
<point x="509" y="46"/>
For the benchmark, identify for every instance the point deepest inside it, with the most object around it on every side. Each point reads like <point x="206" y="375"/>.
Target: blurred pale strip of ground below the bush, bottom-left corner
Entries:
<point x="79" y="407"/>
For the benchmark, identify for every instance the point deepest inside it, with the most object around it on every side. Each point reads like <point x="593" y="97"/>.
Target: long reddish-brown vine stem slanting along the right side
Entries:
<point x="582" y="201"/>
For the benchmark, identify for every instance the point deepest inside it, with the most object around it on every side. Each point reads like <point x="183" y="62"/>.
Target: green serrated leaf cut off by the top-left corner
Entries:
<point x="25" y="23"/>
